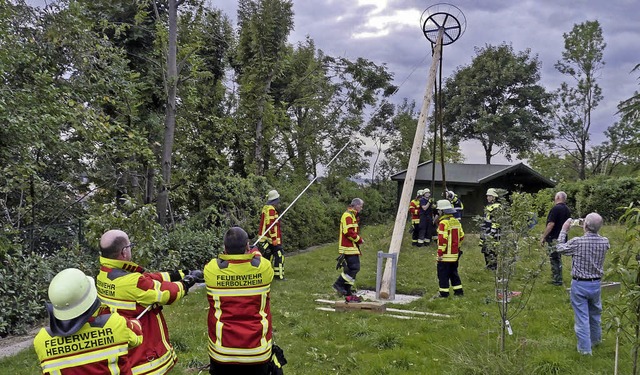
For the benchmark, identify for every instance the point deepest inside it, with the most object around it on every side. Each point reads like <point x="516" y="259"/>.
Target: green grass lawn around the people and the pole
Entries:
<point x="319" y="342"/>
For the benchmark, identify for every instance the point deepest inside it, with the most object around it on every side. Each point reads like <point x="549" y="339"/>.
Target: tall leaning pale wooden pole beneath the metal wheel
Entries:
<point x="407" y="188"/>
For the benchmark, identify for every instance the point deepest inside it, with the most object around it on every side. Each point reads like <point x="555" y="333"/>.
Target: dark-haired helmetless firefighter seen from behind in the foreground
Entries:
<point x="239" y="321"/>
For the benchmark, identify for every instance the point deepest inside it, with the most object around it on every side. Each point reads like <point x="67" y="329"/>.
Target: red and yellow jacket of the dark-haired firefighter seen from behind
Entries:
<point x="239" y="321"/>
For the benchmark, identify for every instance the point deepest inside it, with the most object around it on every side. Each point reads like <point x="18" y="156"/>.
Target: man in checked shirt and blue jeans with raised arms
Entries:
<point x="587" y="268"/>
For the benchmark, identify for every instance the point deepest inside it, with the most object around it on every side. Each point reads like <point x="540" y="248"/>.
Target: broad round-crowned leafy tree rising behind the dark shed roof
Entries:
<point x="497" y="101"/>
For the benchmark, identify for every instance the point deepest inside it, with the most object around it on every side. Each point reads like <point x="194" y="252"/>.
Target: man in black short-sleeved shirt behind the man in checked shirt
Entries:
<point x="558" y="214"/>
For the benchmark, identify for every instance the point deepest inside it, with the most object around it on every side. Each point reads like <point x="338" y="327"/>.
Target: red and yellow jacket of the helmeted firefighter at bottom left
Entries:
<point x="100" y="346"/>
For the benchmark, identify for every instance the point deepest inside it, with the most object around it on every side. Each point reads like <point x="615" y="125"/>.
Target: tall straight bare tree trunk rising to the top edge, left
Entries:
<point x="171" y="82"/>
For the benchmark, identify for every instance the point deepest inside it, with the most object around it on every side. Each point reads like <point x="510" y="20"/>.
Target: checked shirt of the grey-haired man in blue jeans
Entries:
<point x="587" y="254"/>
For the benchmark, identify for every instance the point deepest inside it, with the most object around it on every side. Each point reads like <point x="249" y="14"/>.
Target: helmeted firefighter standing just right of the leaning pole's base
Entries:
<point x="450" y="237"/>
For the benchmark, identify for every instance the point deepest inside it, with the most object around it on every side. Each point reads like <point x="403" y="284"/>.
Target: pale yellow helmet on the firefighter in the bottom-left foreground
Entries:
<point x="71" y="293"/>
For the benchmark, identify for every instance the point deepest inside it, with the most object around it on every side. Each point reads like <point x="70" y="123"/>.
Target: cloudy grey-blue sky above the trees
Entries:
<point x="389" y="32"/>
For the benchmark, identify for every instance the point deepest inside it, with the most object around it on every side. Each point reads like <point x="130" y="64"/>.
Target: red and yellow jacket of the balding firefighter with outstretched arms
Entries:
<point x="125" y="286"/>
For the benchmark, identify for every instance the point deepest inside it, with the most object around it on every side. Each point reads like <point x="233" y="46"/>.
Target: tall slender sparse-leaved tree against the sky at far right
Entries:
<point x="582" y="60"/>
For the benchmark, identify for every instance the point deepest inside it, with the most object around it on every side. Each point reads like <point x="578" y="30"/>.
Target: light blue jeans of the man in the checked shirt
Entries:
<point x="587" y="308"/>
